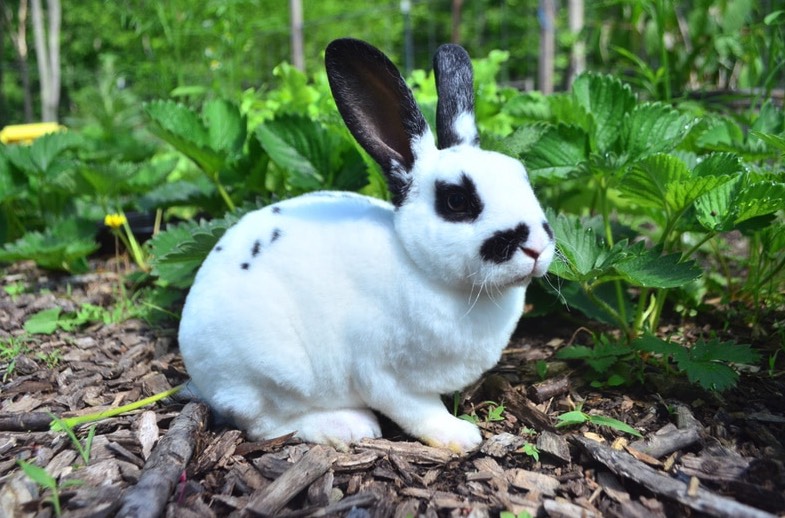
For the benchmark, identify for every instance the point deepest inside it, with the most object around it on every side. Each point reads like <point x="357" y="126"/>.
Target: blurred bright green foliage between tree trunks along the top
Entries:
<point x="115" y="53"/>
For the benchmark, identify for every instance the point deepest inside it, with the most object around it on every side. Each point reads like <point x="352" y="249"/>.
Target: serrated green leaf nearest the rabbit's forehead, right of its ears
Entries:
<point x="558" y="153"/>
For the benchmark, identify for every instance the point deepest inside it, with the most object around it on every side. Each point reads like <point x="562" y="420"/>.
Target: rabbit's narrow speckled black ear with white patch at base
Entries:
<point x="455" y="109"/>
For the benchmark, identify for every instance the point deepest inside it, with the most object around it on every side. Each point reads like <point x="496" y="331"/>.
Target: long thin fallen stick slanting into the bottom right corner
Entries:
<point x="625" y="465"/>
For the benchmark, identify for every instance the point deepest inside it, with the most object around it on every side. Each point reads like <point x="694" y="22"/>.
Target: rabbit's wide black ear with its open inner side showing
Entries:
<point x="378" y="108"/>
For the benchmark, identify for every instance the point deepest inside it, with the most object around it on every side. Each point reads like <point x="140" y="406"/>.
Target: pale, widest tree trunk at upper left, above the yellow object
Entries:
<point x="47" y="51"/>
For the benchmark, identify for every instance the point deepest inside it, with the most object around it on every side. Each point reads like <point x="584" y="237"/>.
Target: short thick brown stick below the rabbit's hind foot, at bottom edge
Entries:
<point x="273" y="497"/>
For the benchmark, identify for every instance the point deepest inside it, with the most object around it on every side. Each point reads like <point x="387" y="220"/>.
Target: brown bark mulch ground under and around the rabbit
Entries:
<point x="702" y="454"/>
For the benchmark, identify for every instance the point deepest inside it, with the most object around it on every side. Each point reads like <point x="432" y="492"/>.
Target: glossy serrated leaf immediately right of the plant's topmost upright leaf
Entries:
<point x="652" y="128"/>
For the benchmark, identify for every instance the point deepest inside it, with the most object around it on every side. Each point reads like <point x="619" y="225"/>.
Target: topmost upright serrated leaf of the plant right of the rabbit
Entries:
<point x="607" y="100"/>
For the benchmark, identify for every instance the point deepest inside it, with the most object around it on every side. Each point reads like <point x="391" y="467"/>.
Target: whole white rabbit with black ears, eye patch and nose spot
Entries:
<point x="311" y="312"/>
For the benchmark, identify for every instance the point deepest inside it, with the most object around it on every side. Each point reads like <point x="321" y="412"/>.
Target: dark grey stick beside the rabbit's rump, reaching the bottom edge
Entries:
<point x="165" y="465"/>
